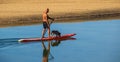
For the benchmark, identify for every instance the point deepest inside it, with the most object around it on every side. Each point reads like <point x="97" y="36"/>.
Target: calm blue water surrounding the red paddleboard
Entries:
<point x="96" y="41"/>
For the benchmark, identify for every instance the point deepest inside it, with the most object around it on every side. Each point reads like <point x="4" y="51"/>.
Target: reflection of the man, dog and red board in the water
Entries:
<point x="46" y="50"/>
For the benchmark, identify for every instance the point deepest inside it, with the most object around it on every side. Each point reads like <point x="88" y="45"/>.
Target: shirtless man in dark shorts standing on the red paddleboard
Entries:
<point x="46" y="24"/>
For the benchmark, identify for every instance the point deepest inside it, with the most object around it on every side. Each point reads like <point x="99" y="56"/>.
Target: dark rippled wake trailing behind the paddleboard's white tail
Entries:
<point x="8" y="42"/>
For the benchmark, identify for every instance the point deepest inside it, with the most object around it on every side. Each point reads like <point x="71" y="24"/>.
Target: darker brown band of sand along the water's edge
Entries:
<point x="105" y="14"/>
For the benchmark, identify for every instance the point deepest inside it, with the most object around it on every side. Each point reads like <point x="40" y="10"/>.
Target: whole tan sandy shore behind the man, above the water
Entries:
<point x="13" y="13"/>
